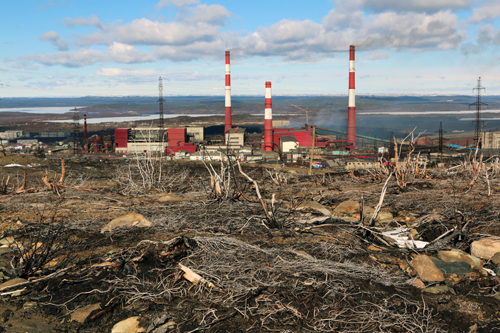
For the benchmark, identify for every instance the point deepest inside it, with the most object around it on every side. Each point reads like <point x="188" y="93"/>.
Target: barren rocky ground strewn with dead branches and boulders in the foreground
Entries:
<point x="110" y="249"/>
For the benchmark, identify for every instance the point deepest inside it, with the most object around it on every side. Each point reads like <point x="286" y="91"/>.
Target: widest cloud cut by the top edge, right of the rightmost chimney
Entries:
<point x="415" y="5"/>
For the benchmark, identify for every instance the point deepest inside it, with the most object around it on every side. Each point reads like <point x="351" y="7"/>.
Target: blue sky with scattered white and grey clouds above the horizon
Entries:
<point x="62" y="48"/>
